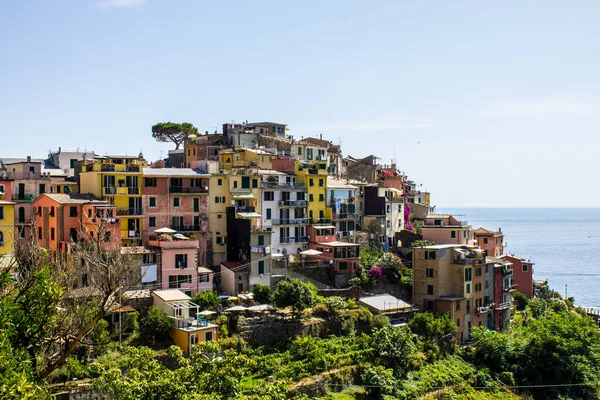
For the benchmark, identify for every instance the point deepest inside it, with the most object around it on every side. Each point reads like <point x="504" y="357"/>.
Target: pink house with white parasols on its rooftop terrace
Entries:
<point x="179" y="267"/>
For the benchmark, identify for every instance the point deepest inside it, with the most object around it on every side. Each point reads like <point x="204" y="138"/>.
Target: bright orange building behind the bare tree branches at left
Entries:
<point x="65" y="219"/>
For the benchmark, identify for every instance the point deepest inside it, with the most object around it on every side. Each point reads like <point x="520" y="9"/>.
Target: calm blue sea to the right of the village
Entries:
<point x="564" y="244"/>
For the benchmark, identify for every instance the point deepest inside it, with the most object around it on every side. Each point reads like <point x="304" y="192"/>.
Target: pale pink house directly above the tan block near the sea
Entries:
<point x="446" y="229"/>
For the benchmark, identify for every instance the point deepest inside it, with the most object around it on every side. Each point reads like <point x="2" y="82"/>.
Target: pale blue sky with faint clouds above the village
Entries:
<point x="484" y="103"/>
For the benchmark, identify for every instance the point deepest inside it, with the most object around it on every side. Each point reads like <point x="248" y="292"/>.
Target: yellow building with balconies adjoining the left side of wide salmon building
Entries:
<point x="119" y="180"/>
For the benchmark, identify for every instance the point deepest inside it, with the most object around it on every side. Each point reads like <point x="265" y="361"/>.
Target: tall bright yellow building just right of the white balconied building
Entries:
<point x="314" y="176"/>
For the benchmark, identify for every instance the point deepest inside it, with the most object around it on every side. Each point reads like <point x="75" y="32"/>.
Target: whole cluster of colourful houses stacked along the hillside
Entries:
<point x="231" y="211"/>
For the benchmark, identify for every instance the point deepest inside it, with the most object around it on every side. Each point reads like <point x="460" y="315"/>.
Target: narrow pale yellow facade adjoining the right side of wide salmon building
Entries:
<point x="219" y="200"/>
